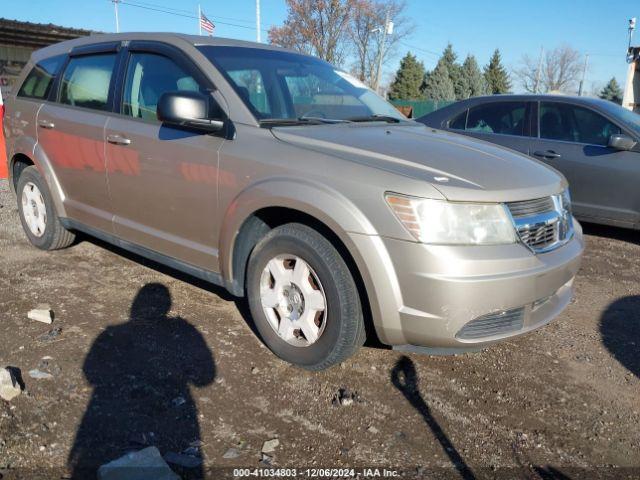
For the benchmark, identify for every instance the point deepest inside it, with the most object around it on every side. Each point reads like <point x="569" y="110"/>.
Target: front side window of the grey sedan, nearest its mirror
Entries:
<point x="570" y="123"/>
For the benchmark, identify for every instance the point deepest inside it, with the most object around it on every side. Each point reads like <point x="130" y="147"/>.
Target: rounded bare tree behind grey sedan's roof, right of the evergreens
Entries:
<point x="559" y="71"/>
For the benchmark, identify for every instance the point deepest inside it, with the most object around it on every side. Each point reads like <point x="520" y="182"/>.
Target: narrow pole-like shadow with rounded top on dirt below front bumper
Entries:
<point x="405" y="379"/>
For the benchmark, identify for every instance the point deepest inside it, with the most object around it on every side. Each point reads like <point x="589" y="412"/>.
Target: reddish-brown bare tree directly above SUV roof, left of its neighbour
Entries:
<point x="317" y="27"/>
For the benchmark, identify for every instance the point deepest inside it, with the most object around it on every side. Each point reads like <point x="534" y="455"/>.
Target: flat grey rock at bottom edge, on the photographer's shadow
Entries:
<point x="144" y="464"/>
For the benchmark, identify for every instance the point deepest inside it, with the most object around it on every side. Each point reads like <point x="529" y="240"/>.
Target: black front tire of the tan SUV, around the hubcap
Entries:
<point x="344" y="331"/>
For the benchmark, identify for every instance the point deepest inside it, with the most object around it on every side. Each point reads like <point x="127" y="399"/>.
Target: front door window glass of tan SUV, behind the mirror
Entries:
<point x="148" y="77"/>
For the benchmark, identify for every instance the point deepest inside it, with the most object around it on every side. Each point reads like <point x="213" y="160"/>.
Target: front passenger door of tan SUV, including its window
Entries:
<point x="162" y="180"/>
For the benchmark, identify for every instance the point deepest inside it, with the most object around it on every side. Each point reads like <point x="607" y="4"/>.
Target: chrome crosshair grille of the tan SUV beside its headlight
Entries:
<point x="542" y="224"/>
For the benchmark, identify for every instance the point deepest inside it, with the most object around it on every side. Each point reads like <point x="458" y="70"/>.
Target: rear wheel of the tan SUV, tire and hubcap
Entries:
<point x="39" y="220"/>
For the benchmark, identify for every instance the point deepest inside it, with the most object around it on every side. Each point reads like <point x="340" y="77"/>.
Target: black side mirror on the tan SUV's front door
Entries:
<point x="188" y="109"/>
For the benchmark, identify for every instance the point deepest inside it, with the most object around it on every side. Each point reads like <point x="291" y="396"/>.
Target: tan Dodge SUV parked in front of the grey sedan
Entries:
<point x="289" y="182"/>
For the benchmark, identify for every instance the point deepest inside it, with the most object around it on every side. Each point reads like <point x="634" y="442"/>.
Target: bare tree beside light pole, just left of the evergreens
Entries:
<point x="365" y="31"/>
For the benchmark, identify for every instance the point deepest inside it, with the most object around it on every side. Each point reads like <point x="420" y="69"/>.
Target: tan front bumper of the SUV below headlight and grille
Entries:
<point x="437" y="290"/>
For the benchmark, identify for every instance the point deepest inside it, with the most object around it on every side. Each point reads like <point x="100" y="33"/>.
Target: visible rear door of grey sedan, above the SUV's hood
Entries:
<point x="505" y="123"/>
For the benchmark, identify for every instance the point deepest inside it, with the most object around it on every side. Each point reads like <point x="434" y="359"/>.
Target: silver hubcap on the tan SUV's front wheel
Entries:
<point x="293" y="300"/>
